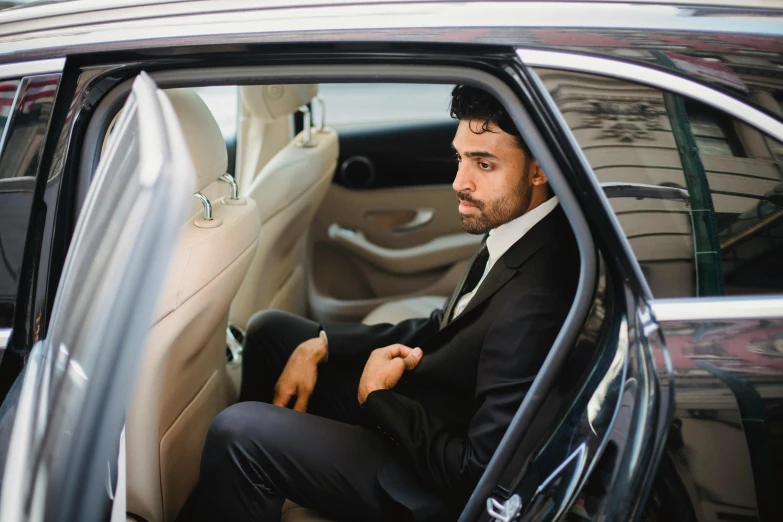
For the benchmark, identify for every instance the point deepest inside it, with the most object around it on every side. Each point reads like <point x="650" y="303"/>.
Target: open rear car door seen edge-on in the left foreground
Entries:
<point x="66" y="412"/>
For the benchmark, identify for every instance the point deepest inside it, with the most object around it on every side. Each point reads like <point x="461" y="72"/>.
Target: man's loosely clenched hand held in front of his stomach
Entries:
<point x="385" y="367"/>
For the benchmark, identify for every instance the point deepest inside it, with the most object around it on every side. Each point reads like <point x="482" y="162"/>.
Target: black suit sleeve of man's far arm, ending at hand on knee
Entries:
<point x="355" y="340"/>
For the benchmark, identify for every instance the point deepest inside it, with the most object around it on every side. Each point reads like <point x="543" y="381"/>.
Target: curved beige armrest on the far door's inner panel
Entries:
<point x="441" y="251"/>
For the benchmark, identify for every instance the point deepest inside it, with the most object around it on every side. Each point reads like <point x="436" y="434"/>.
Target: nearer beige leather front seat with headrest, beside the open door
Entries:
<point x="183" y="382"/>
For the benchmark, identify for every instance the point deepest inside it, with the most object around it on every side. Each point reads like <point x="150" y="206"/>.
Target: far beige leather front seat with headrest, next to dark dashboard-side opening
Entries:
<point x="289" y="189"/>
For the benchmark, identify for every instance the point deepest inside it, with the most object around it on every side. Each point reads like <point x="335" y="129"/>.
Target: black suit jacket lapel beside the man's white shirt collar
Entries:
<point x="509" y="263"/>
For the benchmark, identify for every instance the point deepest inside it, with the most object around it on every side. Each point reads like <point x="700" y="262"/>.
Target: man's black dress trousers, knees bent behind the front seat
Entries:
<point x="256" y="455"/>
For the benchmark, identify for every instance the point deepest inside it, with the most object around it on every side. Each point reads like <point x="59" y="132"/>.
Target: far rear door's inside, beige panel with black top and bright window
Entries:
<point x="388" y="228"/>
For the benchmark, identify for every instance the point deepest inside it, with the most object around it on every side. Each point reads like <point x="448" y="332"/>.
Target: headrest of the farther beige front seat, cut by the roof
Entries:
<point x="269" y="102"/>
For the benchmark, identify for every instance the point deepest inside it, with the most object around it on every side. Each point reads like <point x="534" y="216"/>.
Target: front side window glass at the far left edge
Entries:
<point x="25" y="110"/>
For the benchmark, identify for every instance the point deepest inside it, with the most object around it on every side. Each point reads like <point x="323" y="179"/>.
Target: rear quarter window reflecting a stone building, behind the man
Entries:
<point x="698" y="193"/>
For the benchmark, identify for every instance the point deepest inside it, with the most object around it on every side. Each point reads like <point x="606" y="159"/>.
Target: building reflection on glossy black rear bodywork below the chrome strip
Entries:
<point x="729" y="417"/>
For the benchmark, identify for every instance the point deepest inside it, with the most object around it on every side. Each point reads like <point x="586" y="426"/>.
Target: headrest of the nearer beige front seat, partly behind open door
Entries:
<point x="202" y="134"/>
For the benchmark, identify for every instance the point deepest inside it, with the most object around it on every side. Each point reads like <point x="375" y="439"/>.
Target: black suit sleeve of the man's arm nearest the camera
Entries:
<point x="454" y="458"/>
